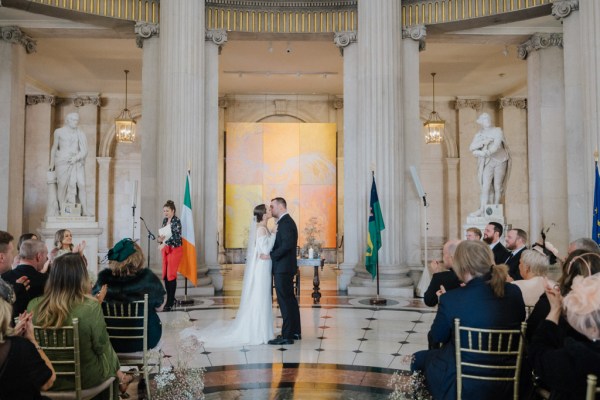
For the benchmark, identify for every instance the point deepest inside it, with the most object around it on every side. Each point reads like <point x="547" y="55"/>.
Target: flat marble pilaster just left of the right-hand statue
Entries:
<point x="468" y="110"/>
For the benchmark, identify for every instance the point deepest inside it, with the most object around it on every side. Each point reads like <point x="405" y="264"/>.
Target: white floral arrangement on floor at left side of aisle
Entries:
<point x="178" y="382"/>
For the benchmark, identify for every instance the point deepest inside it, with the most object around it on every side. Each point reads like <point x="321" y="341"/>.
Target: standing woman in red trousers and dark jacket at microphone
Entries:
<point x="171" y="248"/>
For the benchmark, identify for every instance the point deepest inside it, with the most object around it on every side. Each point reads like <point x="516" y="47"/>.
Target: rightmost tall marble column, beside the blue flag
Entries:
<point x="579" y="163"/>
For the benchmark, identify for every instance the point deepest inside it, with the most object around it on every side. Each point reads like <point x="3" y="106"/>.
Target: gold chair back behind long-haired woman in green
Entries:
<point x="61" y="345"/>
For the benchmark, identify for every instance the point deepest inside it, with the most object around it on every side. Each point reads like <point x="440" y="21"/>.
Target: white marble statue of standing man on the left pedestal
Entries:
<point x="67" y="158"/>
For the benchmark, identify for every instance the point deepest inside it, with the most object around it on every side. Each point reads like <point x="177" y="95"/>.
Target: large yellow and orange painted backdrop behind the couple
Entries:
<point x="296" y="161"/>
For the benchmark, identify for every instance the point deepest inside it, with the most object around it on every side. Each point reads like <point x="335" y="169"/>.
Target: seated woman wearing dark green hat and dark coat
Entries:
<point x="127" y="281"/>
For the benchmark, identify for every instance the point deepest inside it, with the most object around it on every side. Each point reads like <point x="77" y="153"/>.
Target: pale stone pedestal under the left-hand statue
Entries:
<point x="82" y="228"/>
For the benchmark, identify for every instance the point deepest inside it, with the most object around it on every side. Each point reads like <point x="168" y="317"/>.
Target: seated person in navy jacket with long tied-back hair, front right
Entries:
<point x="486" y="301"/>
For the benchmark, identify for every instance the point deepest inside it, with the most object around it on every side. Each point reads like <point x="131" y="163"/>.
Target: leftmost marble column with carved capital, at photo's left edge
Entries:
<point x="13" y="46"/>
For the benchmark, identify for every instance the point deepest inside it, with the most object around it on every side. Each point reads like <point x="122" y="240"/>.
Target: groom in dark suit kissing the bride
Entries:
<point x="283" y="256"/>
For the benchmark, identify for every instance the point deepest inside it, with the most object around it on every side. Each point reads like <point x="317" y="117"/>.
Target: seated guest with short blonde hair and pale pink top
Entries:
<point x="533" y="267"/>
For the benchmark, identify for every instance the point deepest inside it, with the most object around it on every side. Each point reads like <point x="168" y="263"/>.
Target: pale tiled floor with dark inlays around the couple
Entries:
<point x="349" y="349"/>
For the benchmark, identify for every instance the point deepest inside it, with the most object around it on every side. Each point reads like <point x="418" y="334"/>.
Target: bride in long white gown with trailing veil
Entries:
<point x="253" y="323"/>
